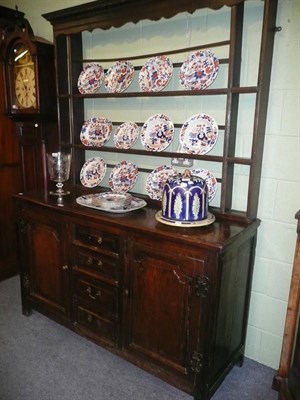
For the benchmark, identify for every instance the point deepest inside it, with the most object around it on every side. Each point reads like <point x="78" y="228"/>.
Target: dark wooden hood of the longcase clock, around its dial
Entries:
<point x="42" y="54"/>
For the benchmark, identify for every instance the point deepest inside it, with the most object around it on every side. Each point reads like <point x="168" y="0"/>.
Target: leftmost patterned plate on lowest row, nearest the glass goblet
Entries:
<point x="93" y="172"/>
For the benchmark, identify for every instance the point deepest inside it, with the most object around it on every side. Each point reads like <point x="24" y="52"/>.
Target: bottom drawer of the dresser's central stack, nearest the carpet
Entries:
<point x="97" y="325"/>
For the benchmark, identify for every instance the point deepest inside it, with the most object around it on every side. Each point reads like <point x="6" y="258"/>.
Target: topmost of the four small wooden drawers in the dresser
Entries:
<point x="97" y="239"/>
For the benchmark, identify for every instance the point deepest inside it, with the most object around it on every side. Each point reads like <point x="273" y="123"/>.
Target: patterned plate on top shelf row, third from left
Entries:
<point x="155" y="74"/>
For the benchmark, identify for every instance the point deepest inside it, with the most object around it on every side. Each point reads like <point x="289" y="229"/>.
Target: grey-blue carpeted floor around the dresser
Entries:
<point x="41" y="360"/>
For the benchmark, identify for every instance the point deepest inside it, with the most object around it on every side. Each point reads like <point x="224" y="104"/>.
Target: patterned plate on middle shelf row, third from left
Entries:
<point x="157" y="132"/>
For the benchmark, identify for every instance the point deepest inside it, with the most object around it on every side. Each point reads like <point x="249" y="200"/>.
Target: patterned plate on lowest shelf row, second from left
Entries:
<point x="123" y="177"/>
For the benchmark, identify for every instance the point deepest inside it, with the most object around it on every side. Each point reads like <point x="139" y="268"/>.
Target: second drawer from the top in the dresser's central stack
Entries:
<point x="103" y="266"/>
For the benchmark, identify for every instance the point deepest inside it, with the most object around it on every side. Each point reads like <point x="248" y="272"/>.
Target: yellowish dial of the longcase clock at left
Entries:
<point x="25" y="87"/>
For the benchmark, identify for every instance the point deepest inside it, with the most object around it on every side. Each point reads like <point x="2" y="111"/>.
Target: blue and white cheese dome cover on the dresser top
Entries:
<point x="185" y="198"/>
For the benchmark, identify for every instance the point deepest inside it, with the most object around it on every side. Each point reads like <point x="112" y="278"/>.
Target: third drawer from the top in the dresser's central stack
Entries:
<point x="100" y="297"/>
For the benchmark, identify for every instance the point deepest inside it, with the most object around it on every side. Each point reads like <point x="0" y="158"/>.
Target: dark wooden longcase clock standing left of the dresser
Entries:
<point x="30" y="98"/>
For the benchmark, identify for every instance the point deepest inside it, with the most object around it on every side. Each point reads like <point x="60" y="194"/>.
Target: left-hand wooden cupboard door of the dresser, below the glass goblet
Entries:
<point x="45" y="274"/>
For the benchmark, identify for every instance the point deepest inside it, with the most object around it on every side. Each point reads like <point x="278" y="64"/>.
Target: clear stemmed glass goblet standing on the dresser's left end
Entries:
<point x="59" y="170"/>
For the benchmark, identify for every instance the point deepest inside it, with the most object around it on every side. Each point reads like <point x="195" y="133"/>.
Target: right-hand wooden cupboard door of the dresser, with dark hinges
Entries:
<point x="164" y="306"/>
